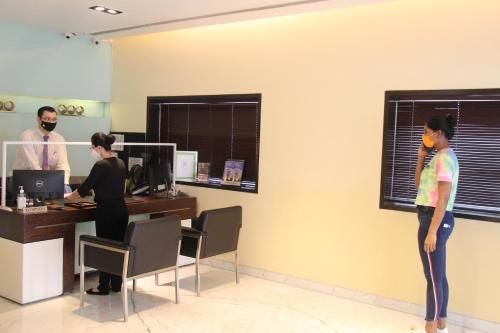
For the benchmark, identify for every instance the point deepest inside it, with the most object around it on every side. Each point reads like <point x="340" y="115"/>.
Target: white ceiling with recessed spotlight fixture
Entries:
<point x="148" y="16"/>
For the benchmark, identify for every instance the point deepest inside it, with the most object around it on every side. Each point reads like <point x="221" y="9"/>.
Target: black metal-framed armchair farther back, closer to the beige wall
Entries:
<point x="214" y="232"/>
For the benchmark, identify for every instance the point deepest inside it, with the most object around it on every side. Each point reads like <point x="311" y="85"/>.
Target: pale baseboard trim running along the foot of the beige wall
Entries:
<point x="456" y="319"/>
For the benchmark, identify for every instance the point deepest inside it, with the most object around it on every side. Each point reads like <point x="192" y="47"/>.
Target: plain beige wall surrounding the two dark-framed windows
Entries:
<point x="322" y="77"/>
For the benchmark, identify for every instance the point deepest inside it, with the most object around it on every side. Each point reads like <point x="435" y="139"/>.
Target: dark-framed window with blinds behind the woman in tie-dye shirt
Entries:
<point x="476" y="143"/>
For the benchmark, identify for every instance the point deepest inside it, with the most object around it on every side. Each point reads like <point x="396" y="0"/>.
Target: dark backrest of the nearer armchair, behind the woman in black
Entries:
<point x="156" y="244"/>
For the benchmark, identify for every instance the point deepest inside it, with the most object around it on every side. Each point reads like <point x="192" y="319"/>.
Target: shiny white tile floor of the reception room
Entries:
<point x="254" y="305"/>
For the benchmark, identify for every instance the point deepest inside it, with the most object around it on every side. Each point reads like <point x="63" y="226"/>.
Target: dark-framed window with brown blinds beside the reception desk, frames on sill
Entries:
<point x="218" y="127"/>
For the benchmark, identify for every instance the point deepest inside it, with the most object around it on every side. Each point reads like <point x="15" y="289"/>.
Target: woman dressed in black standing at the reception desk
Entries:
<point x="107" y="179"/>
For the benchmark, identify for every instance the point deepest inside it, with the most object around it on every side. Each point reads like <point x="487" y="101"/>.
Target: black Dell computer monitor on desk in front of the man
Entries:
<point x="43" y="186"/>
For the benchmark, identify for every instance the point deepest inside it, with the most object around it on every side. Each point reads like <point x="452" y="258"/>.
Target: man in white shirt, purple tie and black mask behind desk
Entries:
<point x="43" y="157"/>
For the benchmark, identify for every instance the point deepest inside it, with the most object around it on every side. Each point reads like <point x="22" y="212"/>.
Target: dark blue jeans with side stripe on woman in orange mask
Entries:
<point x="435" y="263"/>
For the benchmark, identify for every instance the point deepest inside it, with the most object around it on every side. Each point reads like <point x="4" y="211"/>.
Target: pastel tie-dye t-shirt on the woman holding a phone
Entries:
<point x="442" y="168"/>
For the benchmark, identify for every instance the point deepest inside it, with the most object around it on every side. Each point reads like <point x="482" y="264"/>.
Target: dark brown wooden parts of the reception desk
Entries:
<point x="60" y="225"/>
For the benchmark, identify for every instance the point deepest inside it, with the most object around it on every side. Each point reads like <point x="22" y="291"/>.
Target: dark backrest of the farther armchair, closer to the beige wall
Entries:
<point x="222" y="227"/>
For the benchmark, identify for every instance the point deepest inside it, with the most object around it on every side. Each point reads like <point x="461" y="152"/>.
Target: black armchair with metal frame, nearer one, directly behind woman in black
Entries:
<point x="150" y="247"/>
